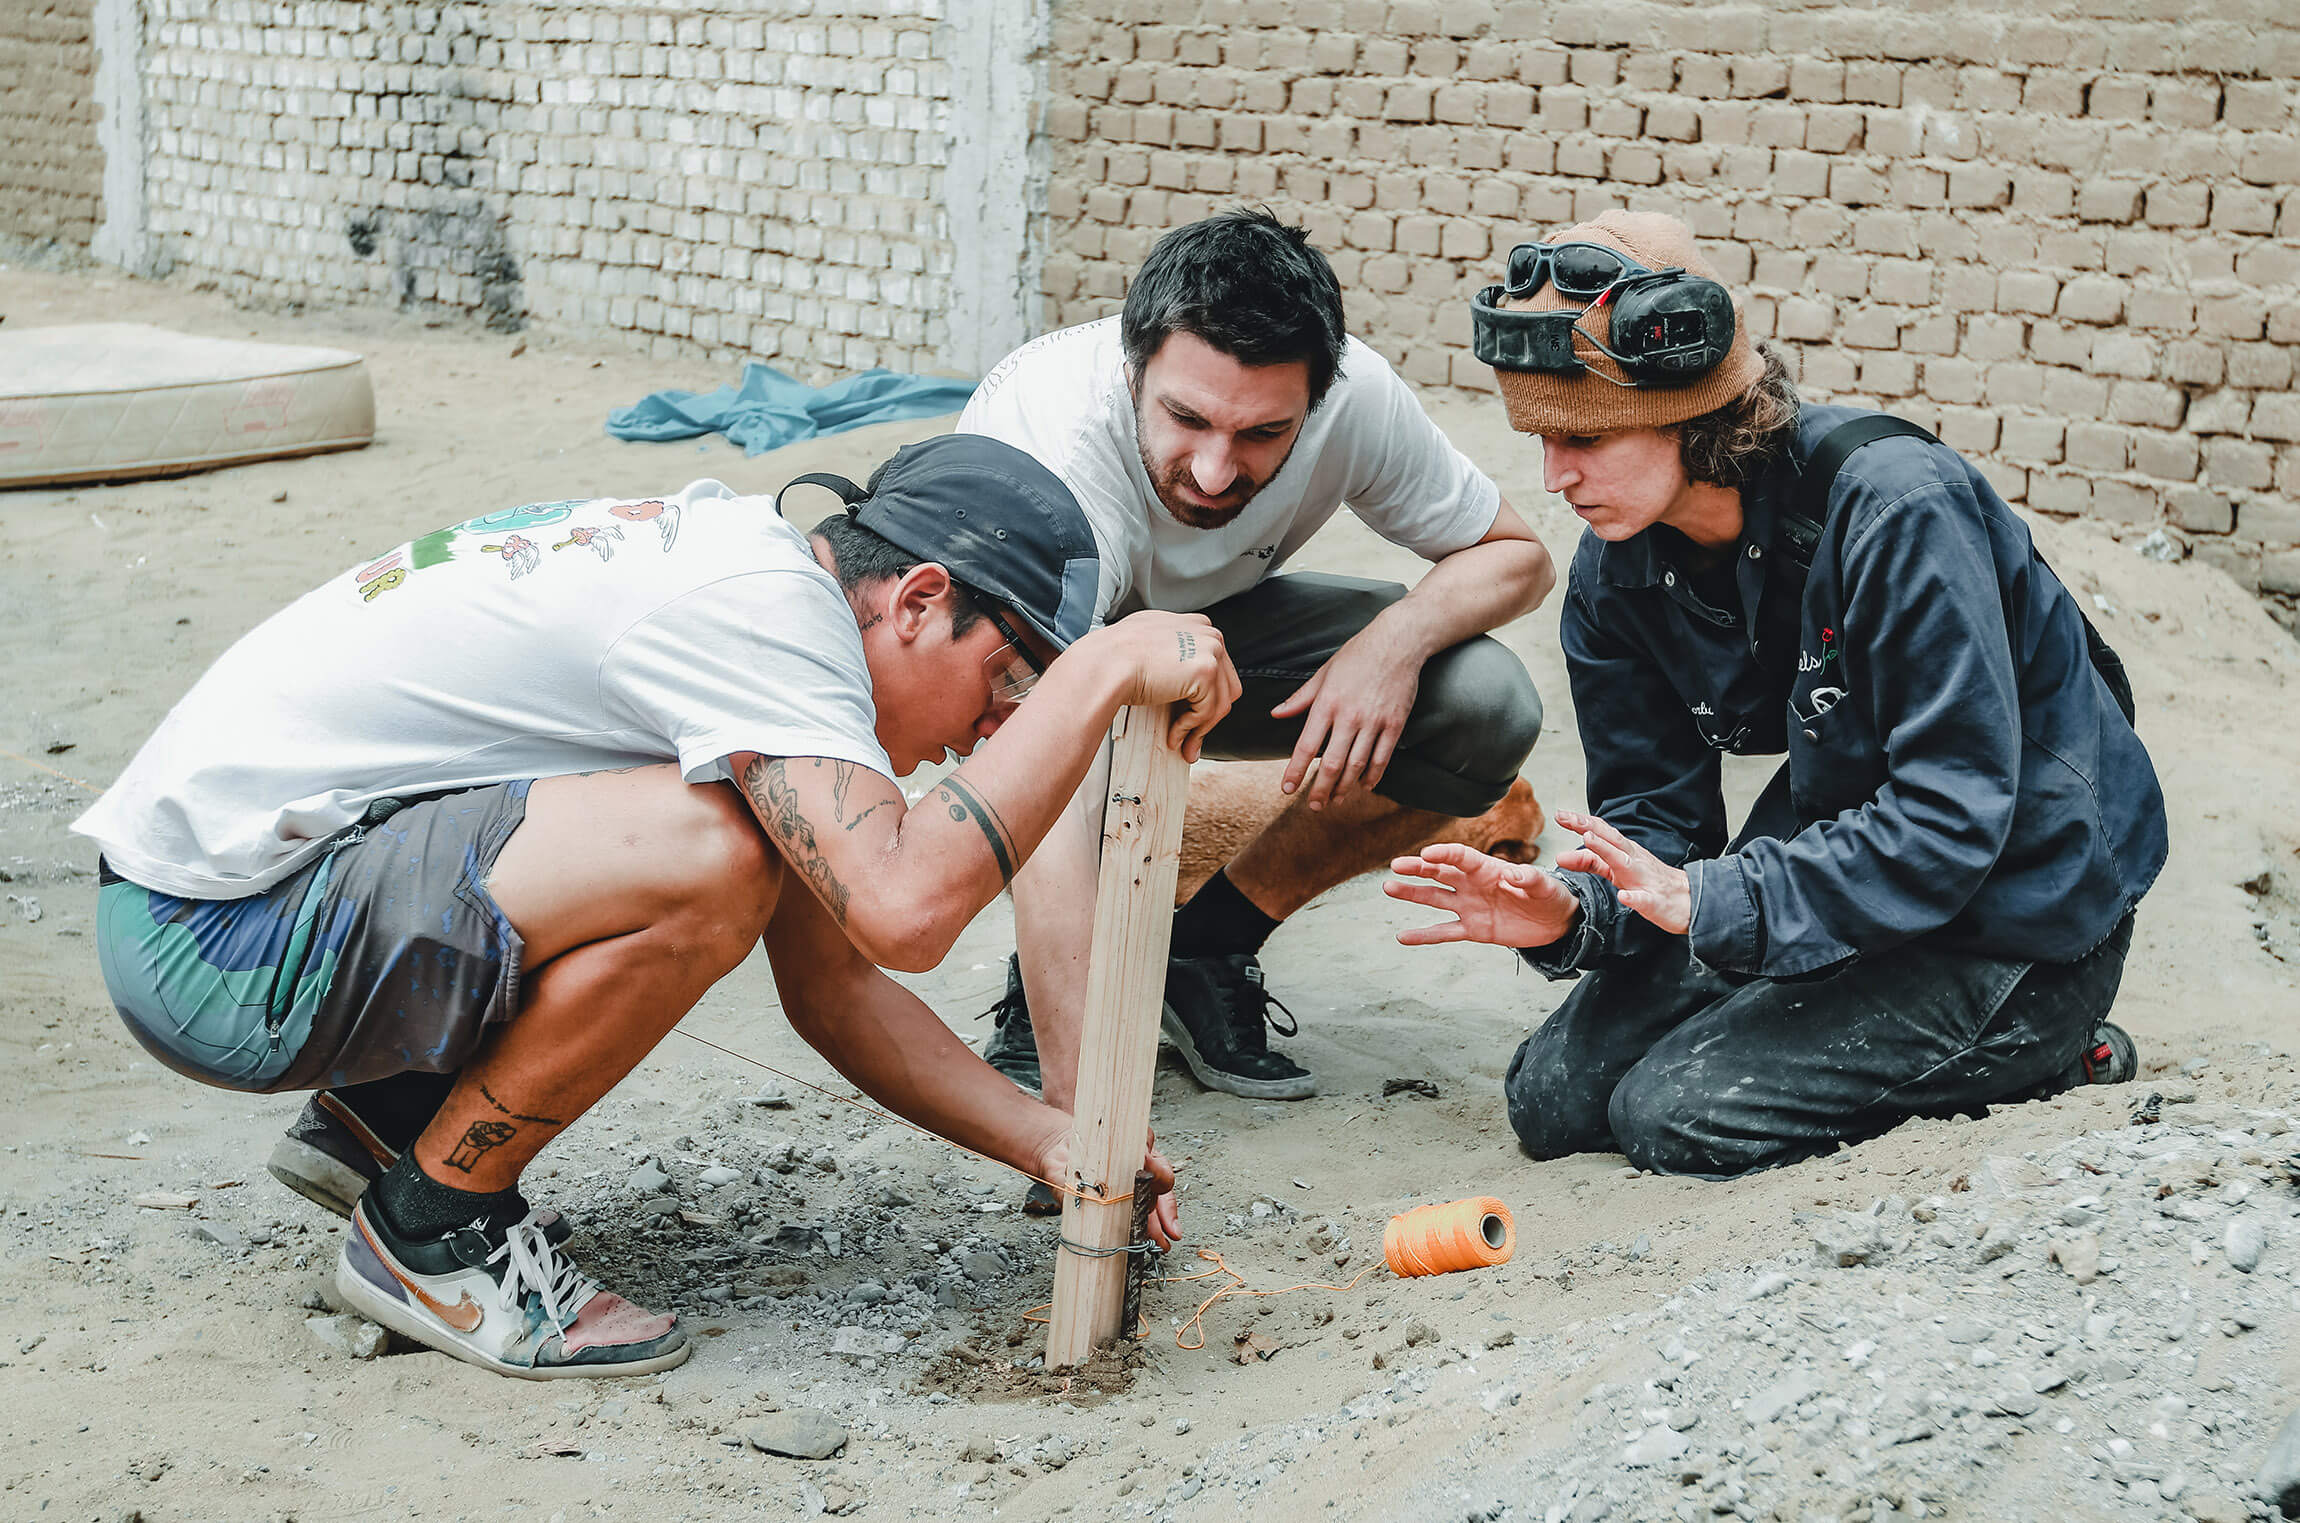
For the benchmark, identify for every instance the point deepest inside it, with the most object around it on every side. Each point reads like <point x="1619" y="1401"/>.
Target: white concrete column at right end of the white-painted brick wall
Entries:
<point x="995" y="178"/>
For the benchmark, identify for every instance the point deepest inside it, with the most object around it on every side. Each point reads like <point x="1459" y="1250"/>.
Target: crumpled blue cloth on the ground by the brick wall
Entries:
<point x="769" y="408"/>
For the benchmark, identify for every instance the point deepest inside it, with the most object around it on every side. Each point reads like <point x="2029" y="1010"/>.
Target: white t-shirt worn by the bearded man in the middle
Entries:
<point x="1370" y="447"/>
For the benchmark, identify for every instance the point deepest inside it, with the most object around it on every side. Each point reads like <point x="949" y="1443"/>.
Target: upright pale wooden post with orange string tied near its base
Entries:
<point x="1126" y="984"/>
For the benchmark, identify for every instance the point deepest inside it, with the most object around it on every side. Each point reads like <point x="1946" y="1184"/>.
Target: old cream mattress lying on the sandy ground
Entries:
<point x="107" y="401"/>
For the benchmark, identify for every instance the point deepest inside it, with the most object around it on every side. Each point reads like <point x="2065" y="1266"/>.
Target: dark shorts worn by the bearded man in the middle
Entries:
<point x="1473" y="724"/>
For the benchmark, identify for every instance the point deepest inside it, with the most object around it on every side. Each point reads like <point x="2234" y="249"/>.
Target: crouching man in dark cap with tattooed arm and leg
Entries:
<point x="461" y="836"/>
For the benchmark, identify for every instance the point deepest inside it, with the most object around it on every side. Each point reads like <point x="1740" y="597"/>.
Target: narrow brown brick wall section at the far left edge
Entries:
<point x="52" y="171"/>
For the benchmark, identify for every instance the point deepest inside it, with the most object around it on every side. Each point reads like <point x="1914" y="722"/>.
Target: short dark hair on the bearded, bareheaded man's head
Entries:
<point x="1245" y="284"/>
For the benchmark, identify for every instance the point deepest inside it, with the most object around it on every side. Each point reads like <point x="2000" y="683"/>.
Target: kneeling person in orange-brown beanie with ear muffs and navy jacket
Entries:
<point x="1929" y="908"/>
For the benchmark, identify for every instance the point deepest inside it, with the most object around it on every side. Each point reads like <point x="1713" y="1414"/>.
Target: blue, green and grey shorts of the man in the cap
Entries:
<point x="383" y="956"/>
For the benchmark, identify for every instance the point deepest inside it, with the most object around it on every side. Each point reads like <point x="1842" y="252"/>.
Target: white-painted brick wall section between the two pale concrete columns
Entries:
<point x="714" y="176"/>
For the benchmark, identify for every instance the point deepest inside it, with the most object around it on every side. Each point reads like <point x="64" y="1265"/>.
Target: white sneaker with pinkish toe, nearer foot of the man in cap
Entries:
<point x="500" y="1296"/>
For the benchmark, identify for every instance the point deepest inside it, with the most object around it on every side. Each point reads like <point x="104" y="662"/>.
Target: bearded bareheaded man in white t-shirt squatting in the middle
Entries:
<point x="1209" y="434"/>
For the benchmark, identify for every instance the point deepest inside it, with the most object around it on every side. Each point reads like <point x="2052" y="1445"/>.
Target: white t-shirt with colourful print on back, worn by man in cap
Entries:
<point x="532" y="643"/>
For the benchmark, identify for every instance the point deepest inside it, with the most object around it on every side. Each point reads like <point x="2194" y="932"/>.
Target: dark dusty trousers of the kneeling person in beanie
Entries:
<point x="1692" y="1071"/>
